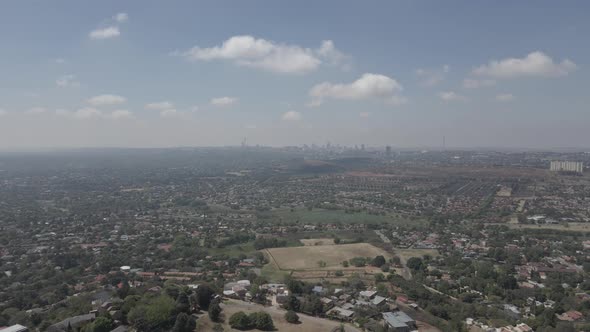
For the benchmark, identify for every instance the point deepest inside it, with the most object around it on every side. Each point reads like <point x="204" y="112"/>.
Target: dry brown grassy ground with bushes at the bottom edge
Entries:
<point x="308" y="323"/>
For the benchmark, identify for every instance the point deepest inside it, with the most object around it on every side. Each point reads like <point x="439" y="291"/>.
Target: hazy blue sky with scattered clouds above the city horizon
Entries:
<point x="510" y="74"/>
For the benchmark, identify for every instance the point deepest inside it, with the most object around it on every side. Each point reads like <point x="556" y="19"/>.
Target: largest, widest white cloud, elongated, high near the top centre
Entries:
<point x="254" y="52"/>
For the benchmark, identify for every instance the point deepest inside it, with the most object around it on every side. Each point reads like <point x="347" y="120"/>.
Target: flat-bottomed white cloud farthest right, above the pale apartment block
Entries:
<point x="535" y="64"/>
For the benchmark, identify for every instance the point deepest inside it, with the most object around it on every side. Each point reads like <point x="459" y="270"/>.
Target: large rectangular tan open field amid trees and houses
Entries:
<point x="307" y="257"/>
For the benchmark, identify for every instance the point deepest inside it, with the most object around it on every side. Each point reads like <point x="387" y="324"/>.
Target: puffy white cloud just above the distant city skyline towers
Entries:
<point x="368" y="86"/>
